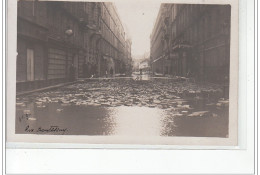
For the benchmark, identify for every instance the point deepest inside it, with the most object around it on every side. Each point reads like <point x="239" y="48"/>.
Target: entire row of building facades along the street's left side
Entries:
<point x="60" y="41"/>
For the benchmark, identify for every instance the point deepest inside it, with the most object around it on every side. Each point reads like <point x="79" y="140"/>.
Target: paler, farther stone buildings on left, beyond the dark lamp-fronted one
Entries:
<point x="106" y="38"/>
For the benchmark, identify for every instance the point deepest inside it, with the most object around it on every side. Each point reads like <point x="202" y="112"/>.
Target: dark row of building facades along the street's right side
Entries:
<point x="192" y="40"/>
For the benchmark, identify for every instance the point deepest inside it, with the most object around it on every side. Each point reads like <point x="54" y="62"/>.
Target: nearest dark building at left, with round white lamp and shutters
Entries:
<point x="49" y="43"/>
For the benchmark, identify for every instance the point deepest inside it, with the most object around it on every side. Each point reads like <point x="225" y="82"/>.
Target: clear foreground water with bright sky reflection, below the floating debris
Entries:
<point x="123" y="120"/>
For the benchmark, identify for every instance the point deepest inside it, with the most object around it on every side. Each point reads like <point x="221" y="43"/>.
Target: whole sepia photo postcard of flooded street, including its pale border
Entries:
<point x="123" y="72"/>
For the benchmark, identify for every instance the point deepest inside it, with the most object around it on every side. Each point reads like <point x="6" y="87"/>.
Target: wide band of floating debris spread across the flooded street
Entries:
<point x="164" y="94"/>
